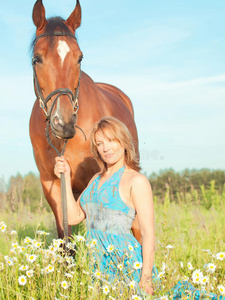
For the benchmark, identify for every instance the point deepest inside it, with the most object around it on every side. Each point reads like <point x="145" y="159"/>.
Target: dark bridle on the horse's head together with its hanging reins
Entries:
<point x="61" y="91"/>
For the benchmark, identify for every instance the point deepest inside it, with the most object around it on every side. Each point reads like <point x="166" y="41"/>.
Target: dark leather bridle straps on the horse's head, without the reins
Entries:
<point x="61" y="91"/>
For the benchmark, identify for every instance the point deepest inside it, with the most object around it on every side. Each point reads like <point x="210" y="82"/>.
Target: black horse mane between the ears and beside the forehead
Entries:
<point x="54" y="24"/>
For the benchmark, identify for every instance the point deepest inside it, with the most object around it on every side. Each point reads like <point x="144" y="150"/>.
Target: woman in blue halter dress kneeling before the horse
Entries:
<point x="110" y="202"/>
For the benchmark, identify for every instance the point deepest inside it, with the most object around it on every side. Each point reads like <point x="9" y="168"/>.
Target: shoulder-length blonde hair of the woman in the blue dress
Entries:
<point x="113" y="128"/>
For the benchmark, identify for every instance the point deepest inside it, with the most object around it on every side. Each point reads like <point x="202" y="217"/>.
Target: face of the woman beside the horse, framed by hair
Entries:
<point x="110" y="150"/>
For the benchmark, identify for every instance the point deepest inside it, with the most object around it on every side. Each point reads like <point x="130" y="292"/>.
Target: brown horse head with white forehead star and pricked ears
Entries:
<point x="56" y="65"/>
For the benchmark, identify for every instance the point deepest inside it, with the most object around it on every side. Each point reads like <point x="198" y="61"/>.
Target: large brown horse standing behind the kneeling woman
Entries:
<point x="57" y="80"/>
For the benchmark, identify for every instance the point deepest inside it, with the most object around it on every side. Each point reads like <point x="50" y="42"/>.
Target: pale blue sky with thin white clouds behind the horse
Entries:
<point x="167" y="56"/>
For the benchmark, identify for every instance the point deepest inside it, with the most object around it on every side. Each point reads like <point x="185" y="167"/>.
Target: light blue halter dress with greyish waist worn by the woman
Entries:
<point x="109" y="221"/>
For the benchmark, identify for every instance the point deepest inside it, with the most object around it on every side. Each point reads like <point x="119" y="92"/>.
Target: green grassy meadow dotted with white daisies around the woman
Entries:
<point x="190" y="247"/>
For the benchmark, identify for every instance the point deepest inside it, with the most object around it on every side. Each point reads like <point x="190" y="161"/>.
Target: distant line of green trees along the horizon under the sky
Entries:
<point x="193" y="184"/>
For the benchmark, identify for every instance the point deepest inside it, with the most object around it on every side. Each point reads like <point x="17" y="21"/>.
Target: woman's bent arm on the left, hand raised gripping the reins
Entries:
<point x="74" y="210"/>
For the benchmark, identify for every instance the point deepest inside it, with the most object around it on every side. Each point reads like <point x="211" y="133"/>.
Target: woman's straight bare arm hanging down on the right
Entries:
<point x="143" y="202"/>
